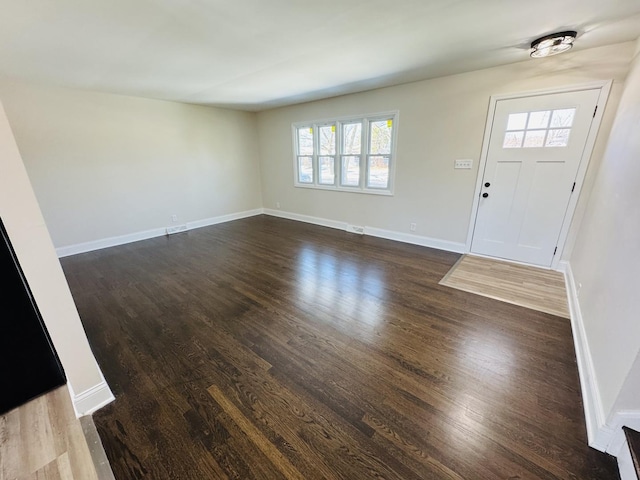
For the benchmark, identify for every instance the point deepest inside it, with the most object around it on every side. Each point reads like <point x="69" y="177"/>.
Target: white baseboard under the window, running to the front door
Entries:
<point x="372" y="231"/>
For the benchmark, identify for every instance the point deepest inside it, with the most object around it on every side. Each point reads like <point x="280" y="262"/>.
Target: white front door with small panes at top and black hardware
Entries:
<point x="533" y="156"/>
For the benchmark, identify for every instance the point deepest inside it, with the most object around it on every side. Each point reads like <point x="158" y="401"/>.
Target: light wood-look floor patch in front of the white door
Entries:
<point x="530" y="287"/>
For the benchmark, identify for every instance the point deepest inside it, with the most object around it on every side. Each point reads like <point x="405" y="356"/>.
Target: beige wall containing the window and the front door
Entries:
<point x="440" y="120"/>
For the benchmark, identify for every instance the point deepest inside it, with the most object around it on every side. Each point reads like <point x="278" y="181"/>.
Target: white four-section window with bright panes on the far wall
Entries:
<point x="353" y="154"/>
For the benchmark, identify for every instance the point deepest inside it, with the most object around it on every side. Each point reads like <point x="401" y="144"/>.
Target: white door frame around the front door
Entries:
<point x="605" y="89"/>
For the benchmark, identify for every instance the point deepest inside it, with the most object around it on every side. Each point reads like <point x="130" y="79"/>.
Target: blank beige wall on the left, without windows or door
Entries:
<point x="107" y="165"/>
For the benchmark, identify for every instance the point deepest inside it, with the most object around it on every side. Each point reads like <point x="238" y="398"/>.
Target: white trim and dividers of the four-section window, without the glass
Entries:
<point x="364" y="155"/>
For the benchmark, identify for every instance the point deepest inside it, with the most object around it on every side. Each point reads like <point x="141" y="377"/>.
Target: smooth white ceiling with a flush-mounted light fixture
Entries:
<point x="258" y="54"/>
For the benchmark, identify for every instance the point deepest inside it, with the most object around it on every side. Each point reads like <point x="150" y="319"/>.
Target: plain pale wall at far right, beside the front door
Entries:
<point x="606" y="256"/>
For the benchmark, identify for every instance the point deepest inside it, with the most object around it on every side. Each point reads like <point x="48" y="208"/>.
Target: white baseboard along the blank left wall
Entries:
<point x="147" y="234"/>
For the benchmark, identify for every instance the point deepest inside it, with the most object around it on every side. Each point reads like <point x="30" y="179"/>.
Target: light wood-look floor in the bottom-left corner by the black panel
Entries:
<point x="43" y="440"/>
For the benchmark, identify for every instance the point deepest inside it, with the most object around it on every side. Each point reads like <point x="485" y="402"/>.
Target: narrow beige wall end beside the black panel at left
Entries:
<point x="26" y="227"/>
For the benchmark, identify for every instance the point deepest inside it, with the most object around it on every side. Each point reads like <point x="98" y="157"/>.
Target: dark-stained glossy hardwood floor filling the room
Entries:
<point x="266" y="348"/>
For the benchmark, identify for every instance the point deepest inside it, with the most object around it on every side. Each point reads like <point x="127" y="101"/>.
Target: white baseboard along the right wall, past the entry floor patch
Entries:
<point x="599" y="433"/>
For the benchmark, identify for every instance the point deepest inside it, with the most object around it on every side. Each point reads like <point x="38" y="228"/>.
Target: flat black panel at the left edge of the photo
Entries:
<point x="29" y="365"/>
